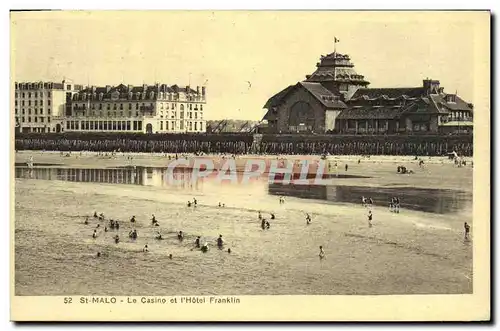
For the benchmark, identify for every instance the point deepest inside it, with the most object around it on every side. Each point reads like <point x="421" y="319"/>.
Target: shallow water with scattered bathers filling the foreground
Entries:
<point x="411" y="252"/>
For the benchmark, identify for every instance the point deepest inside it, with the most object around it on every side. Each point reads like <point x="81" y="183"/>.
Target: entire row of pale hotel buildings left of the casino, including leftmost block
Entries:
<point x="64" y="107"/>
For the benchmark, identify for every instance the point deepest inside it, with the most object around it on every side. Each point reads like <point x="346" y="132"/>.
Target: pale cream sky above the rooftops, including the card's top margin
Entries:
<point x="226" y="49"/>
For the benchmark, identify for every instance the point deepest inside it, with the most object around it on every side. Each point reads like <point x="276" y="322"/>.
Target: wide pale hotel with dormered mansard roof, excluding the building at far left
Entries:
<point x="155" y="108"/>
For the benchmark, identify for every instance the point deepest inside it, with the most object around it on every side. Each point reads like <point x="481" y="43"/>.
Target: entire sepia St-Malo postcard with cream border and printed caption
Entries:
<point x="213" y="159"/>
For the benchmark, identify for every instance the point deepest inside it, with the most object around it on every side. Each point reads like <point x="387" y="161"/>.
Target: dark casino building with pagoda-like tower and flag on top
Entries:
<point x="336" y="99"/>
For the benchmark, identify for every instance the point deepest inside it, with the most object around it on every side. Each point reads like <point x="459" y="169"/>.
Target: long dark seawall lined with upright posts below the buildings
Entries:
<point x="241" y="144"/>
